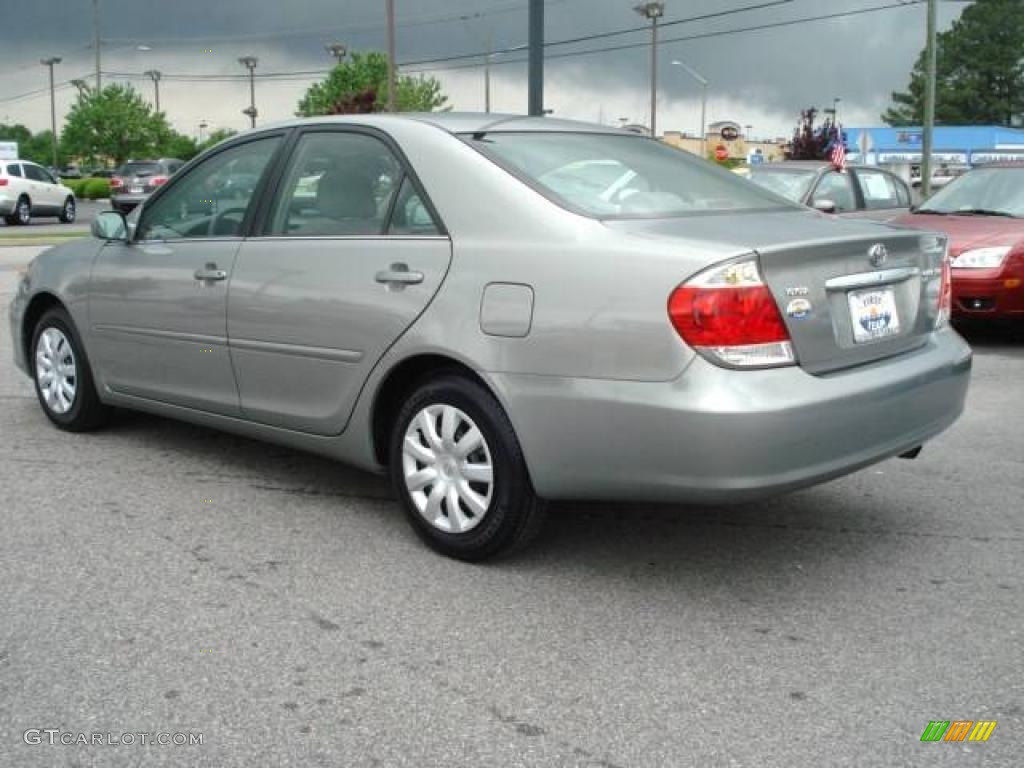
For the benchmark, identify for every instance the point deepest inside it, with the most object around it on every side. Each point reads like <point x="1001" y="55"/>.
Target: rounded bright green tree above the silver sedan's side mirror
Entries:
<point x="116" y="124"/>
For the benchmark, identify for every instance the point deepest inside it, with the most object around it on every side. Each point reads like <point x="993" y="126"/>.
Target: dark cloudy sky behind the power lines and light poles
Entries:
<point x="761" y="77"/>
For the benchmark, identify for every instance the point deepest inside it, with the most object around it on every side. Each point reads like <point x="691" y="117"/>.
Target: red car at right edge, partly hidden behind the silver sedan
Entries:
<point x="983" y="212"/>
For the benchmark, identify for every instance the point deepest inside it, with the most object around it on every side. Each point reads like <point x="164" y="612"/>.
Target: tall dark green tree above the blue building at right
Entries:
<point x="980" y="71"/>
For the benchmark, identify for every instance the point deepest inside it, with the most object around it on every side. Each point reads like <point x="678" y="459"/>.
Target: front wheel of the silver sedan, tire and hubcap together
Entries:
<point x="61" y="371"/>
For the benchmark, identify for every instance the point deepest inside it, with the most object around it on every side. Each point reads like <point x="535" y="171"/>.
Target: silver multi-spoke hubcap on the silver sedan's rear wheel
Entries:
<point x="448" y="470"/>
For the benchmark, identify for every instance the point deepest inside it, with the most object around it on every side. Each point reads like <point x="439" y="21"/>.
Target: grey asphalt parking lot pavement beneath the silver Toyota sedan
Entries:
<point x="163" y="578"/>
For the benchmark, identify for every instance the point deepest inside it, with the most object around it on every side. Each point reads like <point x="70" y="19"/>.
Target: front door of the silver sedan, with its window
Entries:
<point x="158" y="303"/>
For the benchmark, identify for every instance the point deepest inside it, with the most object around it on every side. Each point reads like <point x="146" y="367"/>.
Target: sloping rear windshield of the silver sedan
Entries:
<point x="616" y="177"/>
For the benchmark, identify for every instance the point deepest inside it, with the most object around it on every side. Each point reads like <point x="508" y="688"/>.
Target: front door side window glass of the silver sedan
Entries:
<point x="214" y="199"/>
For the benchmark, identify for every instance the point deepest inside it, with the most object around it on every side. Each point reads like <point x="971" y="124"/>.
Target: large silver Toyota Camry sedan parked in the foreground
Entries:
<point x="455" y="306"/>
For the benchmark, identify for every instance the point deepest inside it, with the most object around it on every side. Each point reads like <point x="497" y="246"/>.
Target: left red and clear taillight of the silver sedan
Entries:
<point x="730" y="314"/>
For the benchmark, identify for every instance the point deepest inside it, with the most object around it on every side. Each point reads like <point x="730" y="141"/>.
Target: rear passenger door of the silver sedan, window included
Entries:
<point x="352" y="254"/>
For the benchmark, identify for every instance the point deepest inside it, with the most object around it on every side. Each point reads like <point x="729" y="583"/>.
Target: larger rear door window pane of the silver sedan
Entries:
<point x="338" y="184"/>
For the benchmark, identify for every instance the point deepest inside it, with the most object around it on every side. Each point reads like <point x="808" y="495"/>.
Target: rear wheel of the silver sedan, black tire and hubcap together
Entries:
<point x="459" y="471"/>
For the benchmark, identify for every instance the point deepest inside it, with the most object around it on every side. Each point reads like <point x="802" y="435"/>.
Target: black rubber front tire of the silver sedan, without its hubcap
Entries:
<point x="87" y="412"/>
